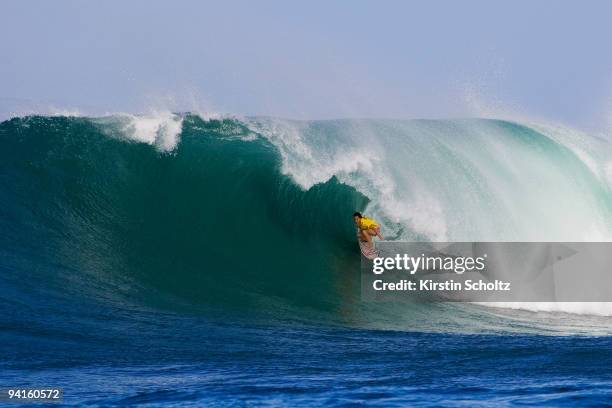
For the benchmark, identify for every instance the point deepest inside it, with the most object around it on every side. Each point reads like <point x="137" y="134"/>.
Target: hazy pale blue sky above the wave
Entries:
<point x="311" y="59"/>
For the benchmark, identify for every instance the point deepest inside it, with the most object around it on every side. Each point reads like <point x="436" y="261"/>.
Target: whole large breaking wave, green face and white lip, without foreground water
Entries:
<point x="254" y="214"/>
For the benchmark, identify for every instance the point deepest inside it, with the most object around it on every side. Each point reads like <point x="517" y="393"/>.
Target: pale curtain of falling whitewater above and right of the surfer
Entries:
<point x="458" y="180"/>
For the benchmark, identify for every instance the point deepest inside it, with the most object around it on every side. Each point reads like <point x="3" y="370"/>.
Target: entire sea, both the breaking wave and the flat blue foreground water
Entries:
<point x="181" y="261"/>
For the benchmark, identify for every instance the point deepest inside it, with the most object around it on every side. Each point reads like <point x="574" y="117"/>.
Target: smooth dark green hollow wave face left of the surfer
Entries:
<point x="212" y="222"/>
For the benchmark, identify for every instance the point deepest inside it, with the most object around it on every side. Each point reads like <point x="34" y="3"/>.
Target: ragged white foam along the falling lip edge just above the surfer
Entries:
<point x="360" y="163"/>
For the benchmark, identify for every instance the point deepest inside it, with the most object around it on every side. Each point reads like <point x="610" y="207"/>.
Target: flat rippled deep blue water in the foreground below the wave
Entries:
<point x="177" y="360"/>
